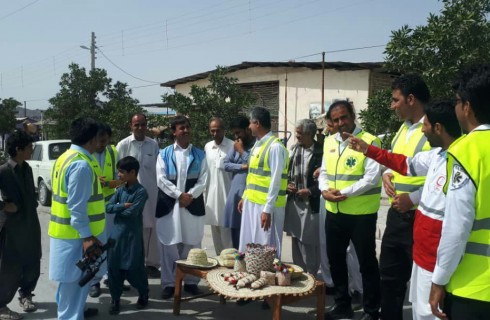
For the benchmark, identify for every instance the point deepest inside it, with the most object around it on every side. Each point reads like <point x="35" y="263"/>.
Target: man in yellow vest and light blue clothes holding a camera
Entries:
<point x="77" y="218"/>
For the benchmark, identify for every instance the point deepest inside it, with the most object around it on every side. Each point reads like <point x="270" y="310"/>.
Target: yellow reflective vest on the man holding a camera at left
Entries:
<point x="60" y="223"/>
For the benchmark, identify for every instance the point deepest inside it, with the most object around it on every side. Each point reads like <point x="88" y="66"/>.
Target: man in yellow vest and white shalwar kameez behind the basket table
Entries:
<point x="263" y="204"/>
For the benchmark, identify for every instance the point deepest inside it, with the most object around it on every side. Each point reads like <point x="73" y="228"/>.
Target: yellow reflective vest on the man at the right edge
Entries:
<point x="472" y="276"/>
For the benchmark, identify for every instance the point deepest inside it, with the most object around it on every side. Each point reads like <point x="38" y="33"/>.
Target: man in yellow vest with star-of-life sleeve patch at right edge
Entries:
<point x="461" y="278"/>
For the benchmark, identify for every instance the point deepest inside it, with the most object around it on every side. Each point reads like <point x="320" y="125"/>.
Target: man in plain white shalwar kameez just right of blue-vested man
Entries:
<point x="217" y="185"/>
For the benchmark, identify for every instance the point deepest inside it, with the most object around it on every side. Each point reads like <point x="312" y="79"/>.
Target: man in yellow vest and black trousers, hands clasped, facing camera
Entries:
<point x="351" y="186"/>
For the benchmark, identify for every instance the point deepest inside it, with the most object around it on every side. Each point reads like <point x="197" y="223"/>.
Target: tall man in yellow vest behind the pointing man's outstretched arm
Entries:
<point x="408" y="97"/>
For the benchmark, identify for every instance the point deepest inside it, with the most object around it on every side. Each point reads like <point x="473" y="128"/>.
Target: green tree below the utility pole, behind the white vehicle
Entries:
<point x="91" y="95"/>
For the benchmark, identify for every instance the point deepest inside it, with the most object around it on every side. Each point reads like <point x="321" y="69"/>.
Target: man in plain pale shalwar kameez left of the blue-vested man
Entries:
<point x="145" y="150"/>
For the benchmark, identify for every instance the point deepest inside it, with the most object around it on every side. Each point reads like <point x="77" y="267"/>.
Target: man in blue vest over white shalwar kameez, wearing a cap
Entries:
<point x="181" y="175"/>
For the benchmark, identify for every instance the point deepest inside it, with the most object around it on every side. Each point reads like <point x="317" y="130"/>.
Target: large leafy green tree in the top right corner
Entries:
<point x="457" y="37"/>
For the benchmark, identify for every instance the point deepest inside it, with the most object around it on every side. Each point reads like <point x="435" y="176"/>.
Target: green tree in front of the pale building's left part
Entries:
<point x="222" y="98"/>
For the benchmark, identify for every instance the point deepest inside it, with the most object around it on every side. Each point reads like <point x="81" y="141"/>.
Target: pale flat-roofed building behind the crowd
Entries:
<point x="293" y="90"/>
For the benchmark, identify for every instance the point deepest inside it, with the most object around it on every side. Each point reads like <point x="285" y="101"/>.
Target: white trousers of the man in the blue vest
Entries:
<point x="170" y="254"/>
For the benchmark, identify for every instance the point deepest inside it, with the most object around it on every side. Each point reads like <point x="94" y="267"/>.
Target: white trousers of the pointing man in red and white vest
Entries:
<point x="420" y="285"/>
